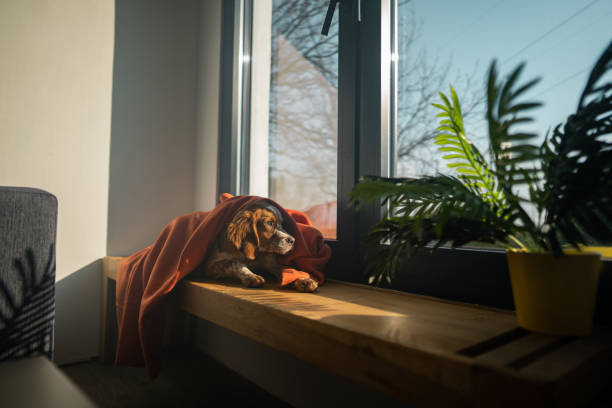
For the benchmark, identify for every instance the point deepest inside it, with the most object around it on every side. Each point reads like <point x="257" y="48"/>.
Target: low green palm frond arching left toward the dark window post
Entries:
<point x="434" y="211"/>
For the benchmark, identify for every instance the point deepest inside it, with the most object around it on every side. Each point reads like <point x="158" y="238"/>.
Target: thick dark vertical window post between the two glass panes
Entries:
<point x="364" y="131"/>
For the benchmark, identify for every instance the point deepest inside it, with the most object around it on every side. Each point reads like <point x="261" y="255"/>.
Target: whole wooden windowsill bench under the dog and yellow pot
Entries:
<point x="423" y="350"/>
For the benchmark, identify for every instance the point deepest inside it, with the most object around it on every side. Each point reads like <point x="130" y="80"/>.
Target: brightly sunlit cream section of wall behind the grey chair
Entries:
<point x="55" y="107"/>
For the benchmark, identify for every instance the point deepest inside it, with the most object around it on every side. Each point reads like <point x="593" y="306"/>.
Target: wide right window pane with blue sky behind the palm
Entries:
<point x="452" y="43"/>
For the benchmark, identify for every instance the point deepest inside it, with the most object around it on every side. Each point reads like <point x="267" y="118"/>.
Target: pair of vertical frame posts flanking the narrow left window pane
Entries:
<point x="365" y="132"/>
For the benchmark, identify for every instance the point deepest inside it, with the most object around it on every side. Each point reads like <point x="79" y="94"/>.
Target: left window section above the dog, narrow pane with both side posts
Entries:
<point x="286" y="132"/>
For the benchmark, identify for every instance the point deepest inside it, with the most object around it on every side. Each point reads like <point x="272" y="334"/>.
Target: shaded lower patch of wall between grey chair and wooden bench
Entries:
<point x="77" y="314"/>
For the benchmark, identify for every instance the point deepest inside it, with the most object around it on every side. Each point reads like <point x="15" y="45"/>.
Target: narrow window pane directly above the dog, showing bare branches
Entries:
<point x="303" y="111"/>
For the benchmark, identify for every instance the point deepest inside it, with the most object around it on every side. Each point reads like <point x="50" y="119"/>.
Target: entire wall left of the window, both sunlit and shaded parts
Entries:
<point x="120" y="173"/>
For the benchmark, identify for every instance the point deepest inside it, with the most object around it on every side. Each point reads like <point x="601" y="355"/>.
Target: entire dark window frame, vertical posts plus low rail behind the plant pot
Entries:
<point x="366" y="137"/>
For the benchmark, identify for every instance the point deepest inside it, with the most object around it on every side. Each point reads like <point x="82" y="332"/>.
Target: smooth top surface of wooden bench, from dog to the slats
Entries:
<point x="407" y="320"/>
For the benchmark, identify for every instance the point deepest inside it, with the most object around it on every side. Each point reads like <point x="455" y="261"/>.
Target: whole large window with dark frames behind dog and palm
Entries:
<point x="325" y="111"/>
